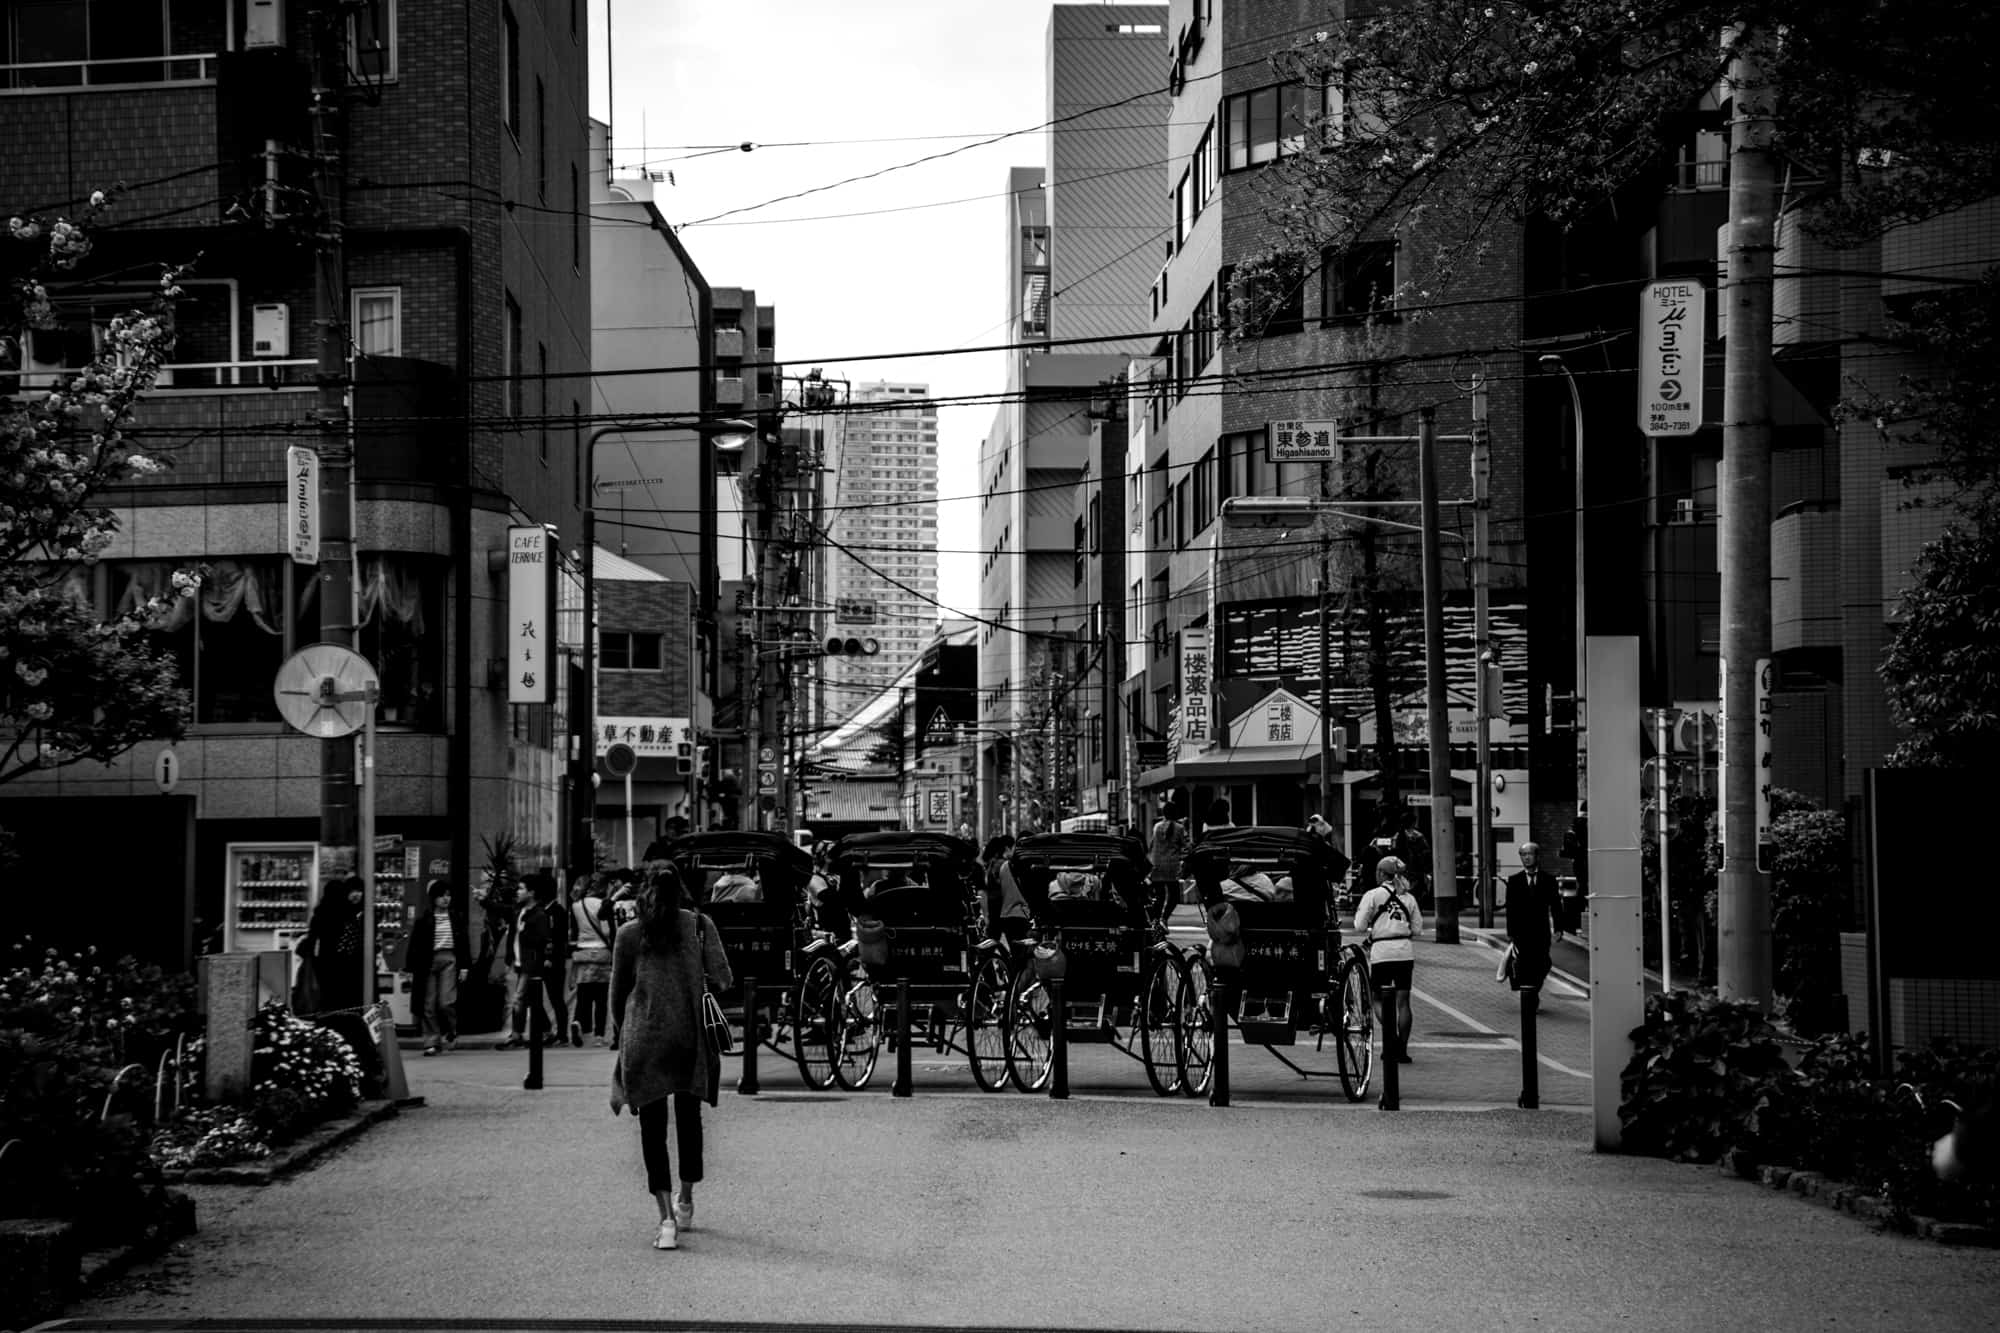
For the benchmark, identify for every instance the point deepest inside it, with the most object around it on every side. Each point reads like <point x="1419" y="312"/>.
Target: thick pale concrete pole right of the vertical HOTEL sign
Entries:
<point x="1743" y="956"/>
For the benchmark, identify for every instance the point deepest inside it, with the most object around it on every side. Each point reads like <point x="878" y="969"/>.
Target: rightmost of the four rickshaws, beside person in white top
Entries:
<point x="1295" y="978"/>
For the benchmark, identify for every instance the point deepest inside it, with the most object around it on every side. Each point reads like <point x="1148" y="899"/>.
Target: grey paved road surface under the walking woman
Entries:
<point x="1291" y="1210"/>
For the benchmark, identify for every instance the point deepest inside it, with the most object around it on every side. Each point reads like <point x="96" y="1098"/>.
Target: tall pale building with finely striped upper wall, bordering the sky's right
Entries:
<point x="1081" y="247"/>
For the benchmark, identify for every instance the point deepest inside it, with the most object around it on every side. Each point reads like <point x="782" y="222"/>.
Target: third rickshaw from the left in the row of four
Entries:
<point x="1097" y="932"/>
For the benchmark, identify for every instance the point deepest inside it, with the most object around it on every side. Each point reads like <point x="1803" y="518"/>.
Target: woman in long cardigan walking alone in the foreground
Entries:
<point x="663" y="1060"/>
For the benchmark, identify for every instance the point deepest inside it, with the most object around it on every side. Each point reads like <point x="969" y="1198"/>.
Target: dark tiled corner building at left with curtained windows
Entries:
<point x="463" y="317"/>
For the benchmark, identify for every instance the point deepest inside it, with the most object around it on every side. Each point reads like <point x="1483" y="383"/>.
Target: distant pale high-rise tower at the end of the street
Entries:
<point x="881" y="537"/>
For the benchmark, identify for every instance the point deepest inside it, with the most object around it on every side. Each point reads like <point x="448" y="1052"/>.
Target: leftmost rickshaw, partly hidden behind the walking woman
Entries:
<point x="755" y="888"/>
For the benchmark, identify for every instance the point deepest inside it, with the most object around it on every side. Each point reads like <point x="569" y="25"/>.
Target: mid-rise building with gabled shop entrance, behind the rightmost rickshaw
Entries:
<point x="1227" y="692"/>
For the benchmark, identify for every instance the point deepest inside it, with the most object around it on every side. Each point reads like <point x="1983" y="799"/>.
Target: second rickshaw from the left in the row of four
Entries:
<point x="913" y="900"/>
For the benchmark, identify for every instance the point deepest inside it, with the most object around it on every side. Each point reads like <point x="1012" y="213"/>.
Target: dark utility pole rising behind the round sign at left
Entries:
<point x="339" y="810"/>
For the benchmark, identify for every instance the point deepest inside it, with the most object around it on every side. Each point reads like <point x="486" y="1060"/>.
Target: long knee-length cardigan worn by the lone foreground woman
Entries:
<point x="657" y="1006"/>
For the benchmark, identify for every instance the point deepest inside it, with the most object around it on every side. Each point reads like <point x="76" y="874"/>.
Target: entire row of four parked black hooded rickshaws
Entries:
<point x="899" y="944"/>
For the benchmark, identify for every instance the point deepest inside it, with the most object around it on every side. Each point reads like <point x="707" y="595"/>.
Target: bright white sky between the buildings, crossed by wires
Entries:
<point x="701" y="73"/>
